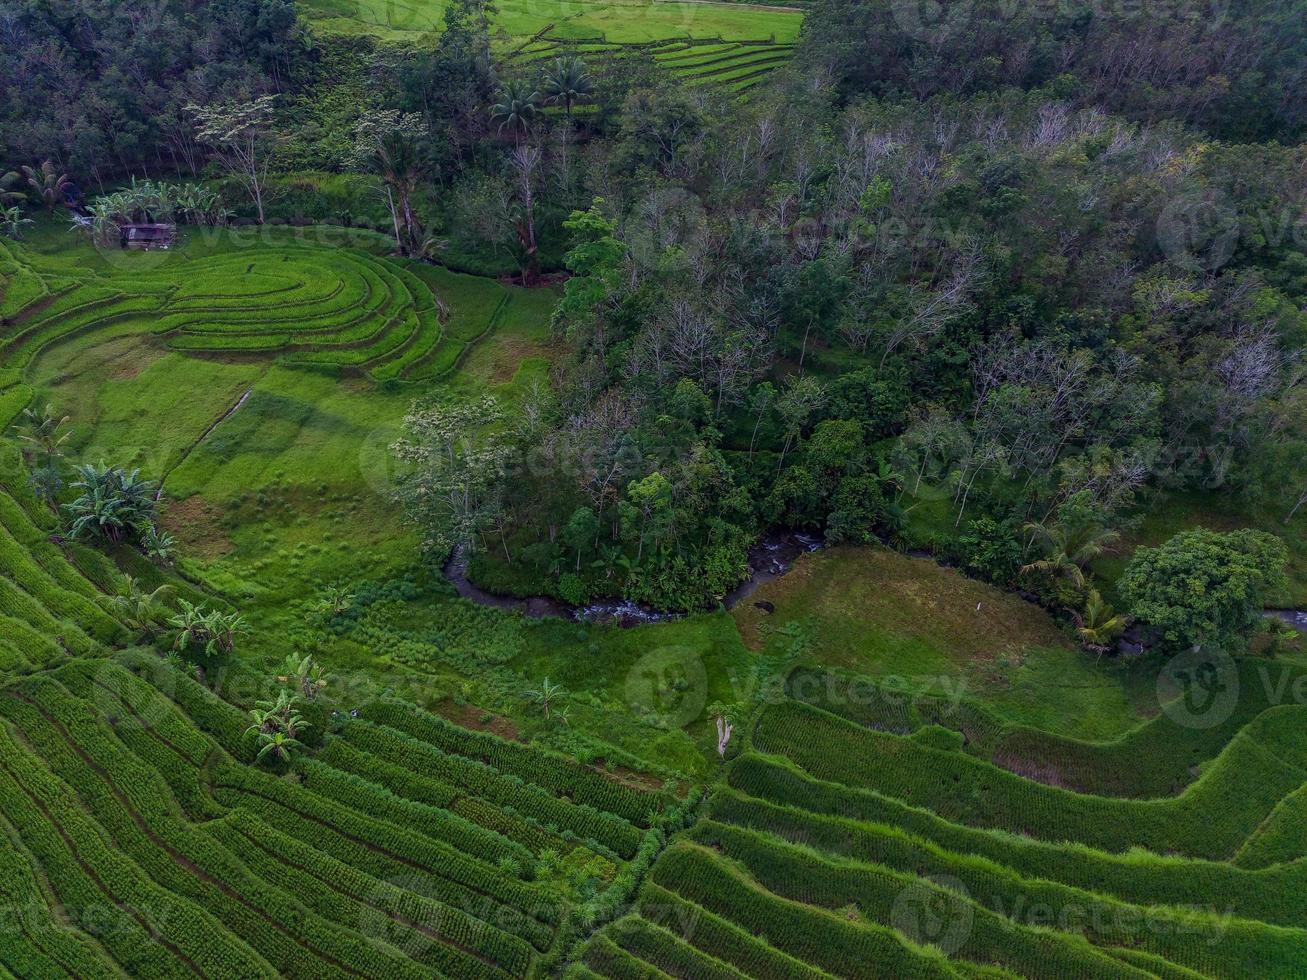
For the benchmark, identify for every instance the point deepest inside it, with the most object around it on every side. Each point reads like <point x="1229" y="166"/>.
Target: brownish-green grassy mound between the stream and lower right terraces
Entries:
<point x="876" y="612"/>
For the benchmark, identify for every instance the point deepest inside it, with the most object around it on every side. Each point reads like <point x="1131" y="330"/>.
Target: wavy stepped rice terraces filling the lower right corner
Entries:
<point x="853" y="841"/>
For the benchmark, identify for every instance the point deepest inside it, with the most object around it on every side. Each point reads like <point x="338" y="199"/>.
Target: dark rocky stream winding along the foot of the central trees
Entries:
<point x="769" y="560"/>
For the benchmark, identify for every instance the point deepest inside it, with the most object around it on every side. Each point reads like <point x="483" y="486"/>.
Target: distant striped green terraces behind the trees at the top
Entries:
<point x="734" y="65"/>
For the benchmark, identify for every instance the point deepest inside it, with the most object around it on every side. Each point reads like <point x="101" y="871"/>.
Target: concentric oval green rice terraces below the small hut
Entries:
<point x="343" y="310"/>
